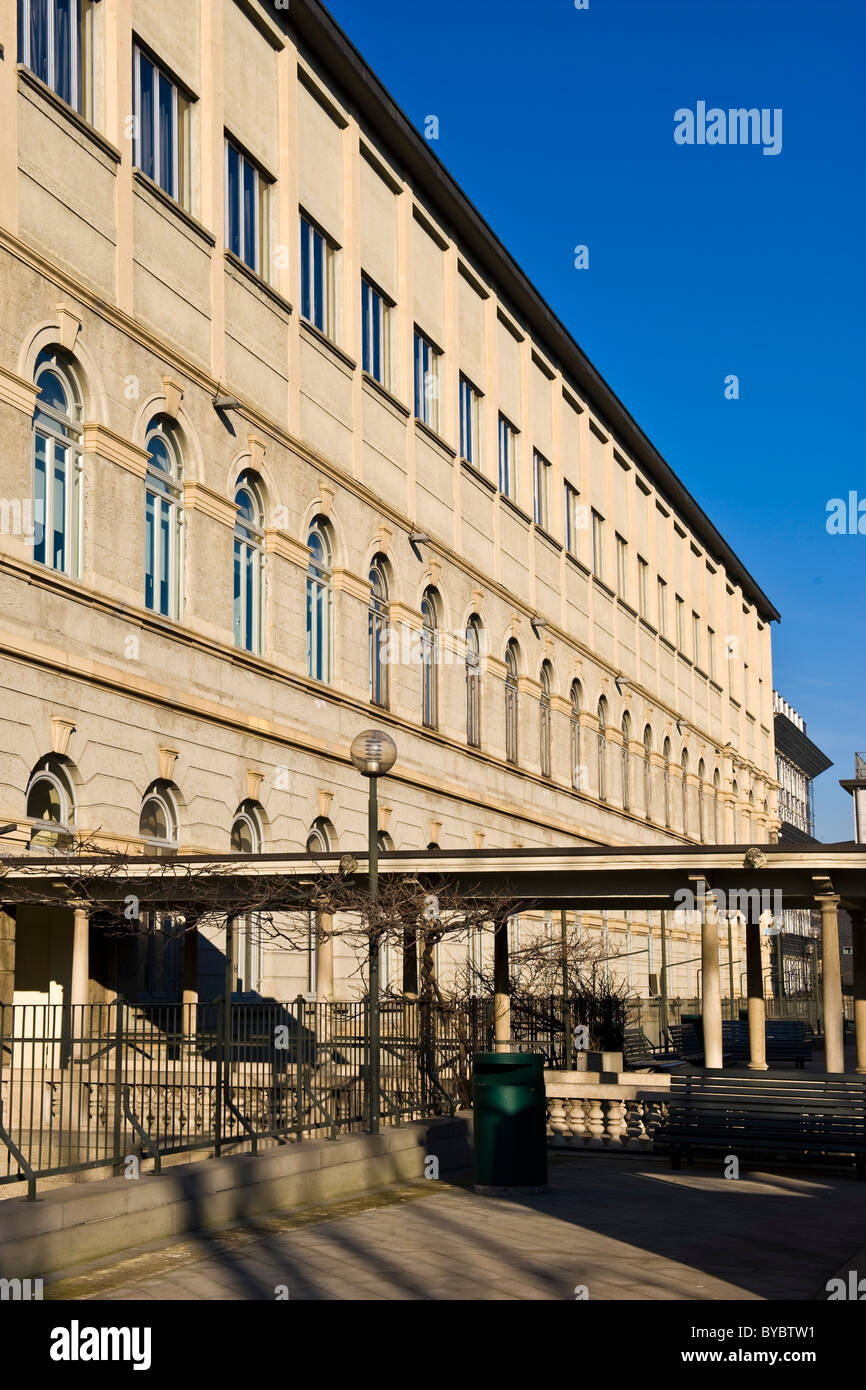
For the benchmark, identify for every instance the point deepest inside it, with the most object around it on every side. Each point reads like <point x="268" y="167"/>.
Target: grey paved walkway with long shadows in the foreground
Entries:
<point x="625" y="1228"/>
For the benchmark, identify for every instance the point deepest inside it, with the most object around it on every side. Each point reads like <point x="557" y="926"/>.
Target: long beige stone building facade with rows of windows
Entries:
<point x="280" y="416"/>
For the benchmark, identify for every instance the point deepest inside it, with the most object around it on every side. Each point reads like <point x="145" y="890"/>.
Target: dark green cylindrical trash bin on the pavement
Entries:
<point x="511" y="1143"/>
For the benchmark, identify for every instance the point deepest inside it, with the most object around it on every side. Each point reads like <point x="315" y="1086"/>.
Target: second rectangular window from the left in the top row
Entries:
<point x="161" y="127"/>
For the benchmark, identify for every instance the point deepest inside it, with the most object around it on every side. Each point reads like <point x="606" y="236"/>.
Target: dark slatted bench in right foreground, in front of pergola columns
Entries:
<point x="771" y="1113"/>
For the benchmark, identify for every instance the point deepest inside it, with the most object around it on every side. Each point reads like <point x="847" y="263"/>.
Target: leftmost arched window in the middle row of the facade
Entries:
<point x="58" y="465"/>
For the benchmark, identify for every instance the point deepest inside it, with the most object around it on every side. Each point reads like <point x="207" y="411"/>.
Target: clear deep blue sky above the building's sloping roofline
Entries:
<point x="703" y="262"/>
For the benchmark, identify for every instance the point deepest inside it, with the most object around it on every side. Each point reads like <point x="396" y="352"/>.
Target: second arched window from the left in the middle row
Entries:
<point x="163" y="519"/>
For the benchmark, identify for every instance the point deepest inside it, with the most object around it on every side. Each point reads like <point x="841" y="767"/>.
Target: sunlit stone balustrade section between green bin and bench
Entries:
<point x="605" y="1111"/>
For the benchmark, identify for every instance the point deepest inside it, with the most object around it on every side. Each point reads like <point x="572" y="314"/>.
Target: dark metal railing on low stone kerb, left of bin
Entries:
<point x="92" y="1086"/>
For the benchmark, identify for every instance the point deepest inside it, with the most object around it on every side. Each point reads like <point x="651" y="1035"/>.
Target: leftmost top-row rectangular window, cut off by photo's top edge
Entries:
<point x="56" y="42"/>
